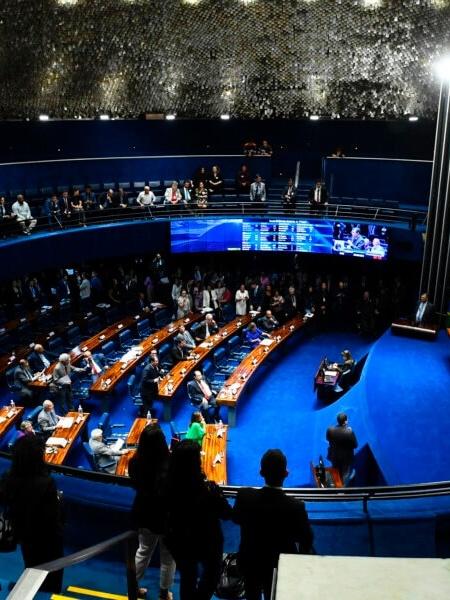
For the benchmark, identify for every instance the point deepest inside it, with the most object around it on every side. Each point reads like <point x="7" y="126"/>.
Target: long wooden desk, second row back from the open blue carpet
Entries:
<point x="169" y="385"/>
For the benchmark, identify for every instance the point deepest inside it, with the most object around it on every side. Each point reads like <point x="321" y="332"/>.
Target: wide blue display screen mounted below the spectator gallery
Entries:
<point x="280" y="235"/>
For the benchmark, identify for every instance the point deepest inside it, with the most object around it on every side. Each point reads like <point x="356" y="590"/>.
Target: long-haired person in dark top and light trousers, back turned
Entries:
<point x="147" y="471"/>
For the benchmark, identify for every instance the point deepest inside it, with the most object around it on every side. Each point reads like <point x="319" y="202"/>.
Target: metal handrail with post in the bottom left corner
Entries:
<point x="31" y="579"/>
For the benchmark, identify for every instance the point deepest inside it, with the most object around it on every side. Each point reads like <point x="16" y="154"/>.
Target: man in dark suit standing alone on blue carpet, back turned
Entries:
<point x="342" y="444"/>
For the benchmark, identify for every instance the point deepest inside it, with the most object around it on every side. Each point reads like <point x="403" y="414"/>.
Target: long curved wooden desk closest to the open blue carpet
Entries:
<point x="234" y="385"/>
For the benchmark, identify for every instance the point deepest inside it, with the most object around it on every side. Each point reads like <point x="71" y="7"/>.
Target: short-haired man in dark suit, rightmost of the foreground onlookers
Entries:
<point x="271" y="523"/>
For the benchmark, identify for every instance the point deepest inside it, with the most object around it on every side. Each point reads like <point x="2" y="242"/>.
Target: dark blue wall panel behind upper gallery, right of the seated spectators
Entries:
<point x="406" y="181"/>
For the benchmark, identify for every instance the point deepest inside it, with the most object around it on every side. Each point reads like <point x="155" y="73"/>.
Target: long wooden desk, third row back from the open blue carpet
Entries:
<point x="109" y="378"/>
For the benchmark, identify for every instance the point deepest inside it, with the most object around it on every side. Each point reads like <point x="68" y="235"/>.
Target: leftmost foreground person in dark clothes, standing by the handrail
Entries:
<point x="34" y="508"/>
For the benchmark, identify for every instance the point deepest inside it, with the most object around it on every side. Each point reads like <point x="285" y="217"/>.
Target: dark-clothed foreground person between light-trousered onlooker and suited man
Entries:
<point x="194" y="536"/>
